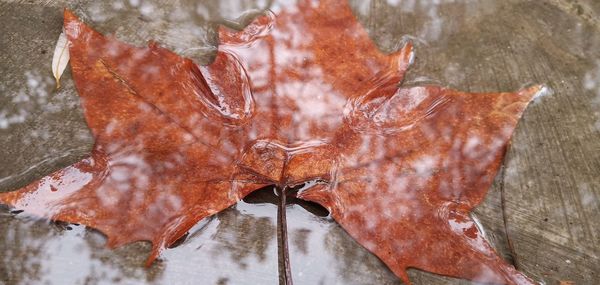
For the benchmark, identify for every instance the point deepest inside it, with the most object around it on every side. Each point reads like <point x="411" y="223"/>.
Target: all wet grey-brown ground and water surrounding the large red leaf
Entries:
<point x="549" y="183"/>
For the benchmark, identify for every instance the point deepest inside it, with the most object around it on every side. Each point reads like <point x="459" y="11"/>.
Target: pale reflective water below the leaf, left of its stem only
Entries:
<point x="36" y="252"/>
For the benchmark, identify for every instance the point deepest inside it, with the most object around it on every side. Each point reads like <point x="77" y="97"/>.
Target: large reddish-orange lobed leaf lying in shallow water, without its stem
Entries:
<point x="301" y="96"/>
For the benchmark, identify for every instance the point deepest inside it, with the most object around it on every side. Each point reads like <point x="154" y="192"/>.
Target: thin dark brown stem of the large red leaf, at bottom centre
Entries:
<point x="285" y="273"/>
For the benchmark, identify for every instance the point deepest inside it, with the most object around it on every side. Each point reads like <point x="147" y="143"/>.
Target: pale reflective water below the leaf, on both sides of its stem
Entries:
<point x="237" y="246"/>
